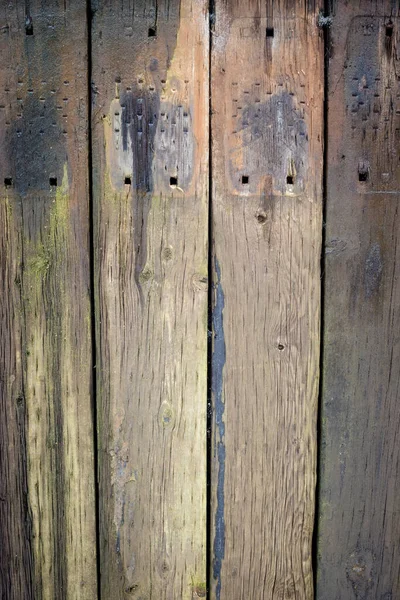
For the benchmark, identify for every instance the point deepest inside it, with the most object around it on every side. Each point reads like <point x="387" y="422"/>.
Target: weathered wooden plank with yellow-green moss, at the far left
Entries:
<point x="47" y="514"/>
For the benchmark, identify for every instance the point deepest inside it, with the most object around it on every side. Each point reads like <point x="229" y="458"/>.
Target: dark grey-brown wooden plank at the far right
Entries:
<point x="359" y="527"/>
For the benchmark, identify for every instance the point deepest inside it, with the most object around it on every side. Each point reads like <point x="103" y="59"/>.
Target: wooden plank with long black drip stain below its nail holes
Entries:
<point x="150" y="156"/>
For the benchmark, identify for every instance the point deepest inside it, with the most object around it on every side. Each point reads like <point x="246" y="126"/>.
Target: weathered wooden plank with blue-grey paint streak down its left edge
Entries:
<point x="267" y="94"/>
